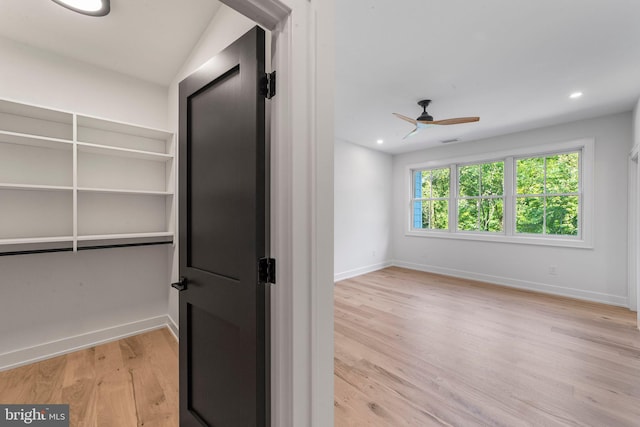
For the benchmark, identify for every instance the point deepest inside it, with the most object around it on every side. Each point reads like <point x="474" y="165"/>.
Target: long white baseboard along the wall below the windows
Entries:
<point x="520" y="284"/>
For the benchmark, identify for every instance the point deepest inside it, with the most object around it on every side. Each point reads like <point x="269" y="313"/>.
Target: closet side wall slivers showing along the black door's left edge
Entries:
<point x="226" y="26"/>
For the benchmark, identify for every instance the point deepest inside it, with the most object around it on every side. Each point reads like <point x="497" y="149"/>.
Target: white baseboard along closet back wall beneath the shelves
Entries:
<point x="44" y="351"/>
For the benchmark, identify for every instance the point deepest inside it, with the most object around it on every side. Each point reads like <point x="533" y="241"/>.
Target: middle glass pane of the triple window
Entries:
<point x="480" y="197"/>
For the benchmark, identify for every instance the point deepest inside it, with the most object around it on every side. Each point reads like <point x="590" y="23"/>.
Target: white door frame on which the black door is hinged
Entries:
<point x="301" y="207"/>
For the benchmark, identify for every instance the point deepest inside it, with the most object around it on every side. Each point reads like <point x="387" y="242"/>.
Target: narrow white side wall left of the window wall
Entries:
<point x="362" y="204"/>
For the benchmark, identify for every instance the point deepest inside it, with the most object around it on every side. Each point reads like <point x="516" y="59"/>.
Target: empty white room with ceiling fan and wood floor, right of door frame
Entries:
<point x="462" y="297"/>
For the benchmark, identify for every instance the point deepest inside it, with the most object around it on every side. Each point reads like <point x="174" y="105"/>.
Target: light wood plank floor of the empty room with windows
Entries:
<point x="418" y="349"/>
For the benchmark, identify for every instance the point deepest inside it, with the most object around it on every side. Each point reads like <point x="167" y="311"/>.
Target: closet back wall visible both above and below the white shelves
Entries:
<point x="60" y="298"/>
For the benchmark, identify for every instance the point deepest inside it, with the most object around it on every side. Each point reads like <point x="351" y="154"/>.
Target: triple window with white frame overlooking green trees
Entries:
<point x="524" y="196"/>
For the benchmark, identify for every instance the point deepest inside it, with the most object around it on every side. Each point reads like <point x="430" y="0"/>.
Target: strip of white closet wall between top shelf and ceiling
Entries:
<point x="38" y="77"/>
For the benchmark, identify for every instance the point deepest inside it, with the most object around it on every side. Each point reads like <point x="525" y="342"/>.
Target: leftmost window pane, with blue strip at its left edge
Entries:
<point x="431" y="199"/>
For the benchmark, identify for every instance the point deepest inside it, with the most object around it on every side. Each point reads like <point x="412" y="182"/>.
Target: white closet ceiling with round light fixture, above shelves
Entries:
<point x="148" y="39"/>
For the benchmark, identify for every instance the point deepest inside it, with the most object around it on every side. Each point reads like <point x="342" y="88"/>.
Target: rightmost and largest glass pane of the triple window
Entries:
<point x="548" y="197"/>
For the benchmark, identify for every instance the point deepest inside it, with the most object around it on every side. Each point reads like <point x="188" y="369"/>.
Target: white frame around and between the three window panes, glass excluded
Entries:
<point x="585" y="146"/>
